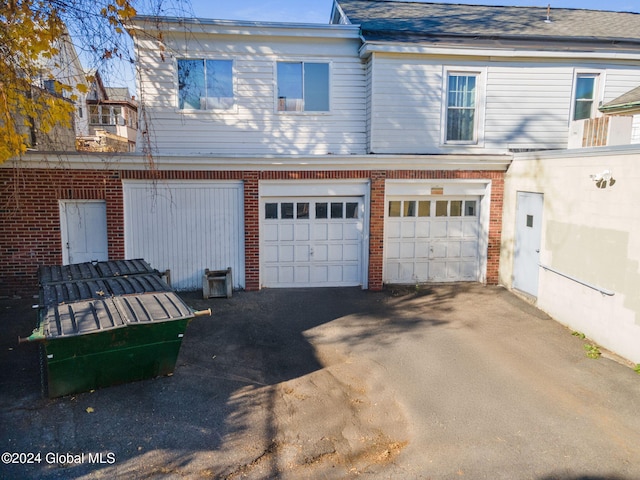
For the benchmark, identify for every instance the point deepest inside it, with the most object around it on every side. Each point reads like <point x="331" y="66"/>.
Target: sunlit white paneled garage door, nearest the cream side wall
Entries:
<point x="431" y="239"/>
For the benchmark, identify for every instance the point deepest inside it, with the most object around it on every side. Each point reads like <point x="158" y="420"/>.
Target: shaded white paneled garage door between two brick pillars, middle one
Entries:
<point x="312" y="241"/>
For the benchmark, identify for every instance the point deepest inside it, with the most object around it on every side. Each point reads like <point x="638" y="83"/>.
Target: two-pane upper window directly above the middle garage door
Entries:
<point x="303" y="87"/>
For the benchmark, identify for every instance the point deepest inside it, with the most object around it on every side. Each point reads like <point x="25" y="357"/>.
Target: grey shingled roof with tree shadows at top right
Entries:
<point x="387" y="20"/>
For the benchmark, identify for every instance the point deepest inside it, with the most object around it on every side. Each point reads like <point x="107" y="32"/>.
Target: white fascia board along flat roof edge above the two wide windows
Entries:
<point x="232" y="27"/>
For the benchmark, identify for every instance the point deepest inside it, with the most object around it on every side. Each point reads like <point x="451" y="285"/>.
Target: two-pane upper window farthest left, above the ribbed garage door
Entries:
<point x="205" y="84"/>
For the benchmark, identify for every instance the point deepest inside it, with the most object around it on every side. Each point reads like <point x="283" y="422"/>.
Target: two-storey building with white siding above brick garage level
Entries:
<point x="367" y="151"/>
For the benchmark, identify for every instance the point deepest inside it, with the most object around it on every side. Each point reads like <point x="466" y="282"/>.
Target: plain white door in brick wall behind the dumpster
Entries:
<point x="83" y="230"/>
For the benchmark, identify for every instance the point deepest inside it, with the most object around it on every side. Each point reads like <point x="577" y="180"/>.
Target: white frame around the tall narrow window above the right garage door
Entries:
<point x="478" y="129"/>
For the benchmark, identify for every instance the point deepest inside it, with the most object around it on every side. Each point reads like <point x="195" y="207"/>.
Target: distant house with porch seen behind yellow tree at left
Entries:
<point x="113" y="119"/>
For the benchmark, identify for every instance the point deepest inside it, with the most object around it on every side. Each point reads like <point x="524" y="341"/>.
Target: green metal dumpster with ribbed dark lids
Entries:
<point x="108" y="338"/>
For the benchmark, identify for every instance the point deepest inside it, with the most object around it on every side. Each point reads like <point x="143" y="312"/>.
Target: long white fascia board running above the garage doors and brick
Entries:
<point x="74" y="161"/>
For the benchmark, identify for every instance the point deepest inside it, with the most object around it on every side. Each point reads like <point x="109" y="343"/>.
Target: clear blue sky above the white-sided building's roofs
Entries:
<point x="318" y="11"/>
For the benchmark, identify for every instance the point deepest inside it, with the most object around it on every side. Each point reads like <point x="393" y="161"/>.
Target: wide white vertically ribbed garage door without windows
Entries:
<point x="186" y="227"/>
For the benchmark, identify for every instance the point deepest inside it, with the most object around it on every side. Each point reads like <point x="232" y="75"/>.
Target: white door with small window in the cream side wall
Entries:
<point x="526" y="260"/>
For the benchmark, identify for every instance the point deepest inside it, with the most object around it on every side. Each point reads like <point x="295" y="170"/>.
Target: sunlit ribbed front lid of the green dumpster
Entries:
<point x="91" y="316"/>
